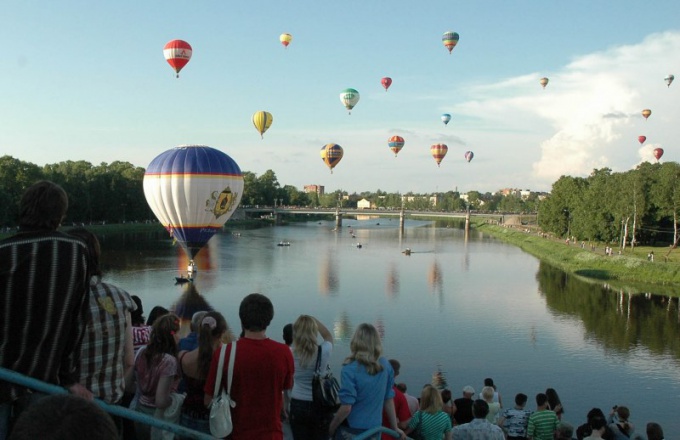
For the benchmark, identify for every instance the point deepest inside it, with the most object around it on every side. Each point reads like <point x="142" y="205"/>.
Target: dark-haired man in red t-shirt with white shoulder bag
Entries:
<point x="263" y="370"/>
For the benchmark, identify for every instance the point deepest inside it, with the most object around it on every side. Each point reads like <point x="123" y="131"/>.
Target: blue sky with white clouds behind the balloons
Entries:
<point x="84" y="80"/>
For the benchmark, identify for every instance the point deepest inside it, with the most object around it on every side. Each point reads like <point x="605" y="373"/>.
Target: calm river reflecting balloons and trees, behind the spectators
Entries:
<point x="470" y="307"/>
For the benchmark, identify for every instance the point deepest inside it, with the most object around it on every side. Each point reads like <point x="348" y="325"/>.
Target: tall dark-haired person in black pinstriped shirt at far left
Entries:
<point x="43" y="279"/>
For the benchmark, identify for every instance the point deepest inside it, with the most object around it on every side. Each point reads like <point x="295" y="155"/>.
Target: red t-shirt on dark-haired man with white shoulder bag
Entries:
<point x="263" y="369"/>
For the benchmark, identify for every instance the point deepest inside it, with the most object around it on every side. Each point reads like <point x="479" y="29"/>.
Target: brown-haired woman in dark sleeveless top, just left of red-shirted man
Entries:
<point x="195" y="365"/>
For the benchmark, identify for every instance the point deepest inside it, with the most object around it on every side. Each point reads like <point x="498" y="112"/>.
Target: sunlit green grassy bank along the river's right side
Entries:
<point x="630" y="271"/>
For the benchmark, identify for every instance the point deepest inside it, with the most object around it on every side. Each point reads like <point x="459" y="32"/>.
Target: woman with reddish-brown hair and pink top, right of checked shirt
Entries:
<point x="157" y="370"/>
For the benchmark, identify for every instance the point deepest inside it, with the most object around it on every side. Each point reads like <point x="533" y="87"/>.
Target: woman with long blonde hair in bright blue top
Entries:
<point x="366" y="387"/>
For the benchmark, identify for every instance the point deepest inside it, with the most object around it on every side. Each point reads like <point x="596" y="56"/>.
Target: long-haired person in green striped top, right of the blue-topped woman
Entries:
<point x="430" y="421"/>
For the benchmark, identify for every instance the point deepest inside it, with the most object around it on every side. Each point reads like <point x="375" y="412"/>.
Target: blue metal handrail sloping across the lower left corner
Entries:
<point x="34" y="384"/>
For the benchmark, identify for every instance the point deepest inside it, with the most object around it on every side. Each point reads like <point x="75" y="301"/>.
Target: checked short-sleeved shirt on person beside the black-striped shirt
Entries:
<point x="103" y="350"/>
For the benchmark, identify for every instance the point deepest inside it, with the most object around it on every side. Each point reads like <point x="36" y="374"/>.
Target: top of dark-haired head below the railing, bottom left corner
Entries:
<point x="64" y="416"/>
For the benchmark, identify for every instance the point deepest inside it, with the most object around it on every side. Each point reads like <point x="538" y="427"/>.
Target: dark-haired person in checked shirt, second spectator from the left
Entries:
<point x="104" y="359"/>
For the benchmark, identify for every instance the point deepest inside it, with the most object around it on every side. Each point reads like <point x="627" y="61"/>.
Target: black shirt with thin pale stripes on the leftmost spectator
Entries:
<point x="43" y="307"/>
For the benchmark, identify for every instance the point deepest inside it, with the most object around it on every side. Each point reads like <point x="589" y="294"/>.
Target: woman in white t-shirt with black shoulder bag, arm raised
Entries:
<point x="306" y="421"/>
